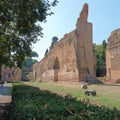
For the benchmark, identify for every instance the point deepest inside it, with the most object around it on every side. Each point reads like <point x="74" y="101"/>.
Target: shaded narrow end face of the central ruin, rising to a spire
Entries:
<point x="83" y="45"/>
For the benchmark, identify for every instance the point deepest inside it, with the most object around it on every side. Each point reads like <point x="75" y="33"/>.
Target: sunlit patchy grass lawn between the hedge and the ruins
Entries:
<point x="108" y="95"/>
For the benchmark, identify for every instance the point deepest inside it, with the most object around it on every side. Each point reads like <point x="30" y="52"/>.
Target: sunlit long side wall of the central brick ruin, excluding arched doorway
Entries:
<point x="65" y="52"/>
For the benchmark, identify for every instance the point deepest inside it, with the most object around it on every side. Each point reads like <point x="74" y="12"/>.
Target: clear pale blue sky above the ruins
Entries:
<point x="103" y="14"/>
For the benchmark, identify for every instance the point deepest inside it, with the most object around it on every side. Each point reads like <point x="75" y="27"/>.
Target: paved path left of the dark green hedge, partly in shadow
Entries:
<point x="5" y="101"/>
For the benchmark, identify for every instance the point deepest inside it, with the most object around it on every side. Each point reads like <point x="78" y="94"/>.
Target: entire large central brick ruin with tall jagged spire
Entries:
<point x="71" y="58"/>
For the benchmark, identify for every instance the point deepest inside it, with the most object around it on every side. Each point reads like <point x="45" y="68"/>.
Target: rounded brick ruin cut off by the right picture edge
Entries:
<point x="113" y="57"/>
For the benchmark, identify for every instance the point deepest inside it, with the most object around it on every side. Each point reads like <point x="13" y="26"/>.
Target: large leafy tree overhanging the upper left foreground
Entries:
<point x="20" y="27"/>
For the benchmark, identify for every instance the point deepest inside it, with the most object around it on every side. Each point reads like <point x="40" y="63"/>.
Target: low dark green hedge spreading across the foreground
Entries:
<point x="30" y="103"/>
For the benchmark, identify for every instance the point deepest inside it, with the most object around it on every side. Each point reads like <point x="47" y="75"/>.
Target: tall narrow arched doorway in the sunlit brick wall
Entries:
<point x="56" y="68"/>
